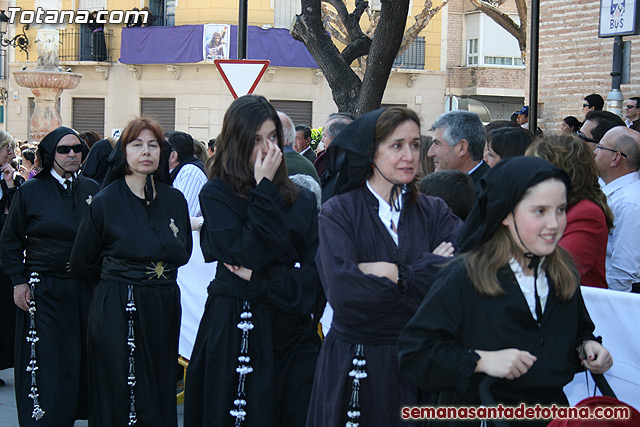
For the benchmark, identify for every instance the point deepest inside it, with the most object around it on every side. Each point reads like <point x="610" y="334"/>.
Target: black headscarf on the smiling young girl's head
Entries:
<point x="502" y="187"/>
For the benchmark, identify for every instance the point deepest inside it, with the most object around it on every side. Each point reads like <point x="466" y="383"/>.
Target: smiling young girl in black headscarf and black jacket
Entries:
<point x="510" y="306"/>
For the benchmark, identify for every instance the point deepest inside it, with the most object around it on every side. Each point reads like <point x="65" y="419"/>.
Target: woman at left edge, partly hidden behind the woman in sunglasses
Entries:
<point x="9" y="182"/>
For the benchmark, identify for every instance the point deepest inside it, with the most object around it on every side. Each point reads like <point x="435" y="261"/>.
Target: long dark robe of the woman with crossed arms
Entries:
<point x="370" y="311"/>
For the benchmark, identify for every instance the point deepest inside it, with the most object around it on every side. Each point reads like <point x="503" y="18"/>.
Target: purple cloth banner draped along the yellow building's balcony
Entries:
<point x="183" y="44"/>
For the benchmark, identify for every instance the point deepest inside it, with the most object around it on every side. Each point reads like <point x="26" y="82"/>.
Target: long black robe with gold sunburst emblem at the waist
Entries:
<point x="135" y="250"/>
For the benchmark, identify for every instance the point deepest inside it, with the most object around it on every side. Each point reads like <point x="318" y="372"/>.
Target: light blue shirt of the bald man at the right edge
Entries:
<point x="623" y="250"/>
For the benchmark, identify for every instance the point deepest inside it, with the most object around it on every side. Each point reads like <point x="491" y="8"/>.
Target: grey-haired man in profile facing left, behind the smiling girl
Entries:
<point x="458" y="143"/>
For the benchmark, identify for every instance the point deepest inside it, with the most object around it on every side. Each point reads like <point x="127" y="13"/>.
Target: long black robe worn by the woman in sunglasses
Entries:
<point x="43" y="221"/>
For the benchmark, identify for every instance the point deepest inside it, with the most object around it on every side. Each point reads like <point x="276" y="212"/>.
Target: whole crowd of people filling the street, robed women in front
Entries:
<point x="388" y="269"/>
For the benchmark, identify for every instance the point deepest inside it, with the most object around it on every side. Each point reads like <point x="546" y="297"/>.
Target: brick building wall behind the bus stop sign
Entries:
<point x="574" y="62"/>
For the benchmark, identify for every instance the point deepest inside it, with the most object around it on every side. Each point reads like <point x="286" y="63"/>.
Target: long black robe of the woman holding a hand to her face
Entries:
<point x="278" y="242"/>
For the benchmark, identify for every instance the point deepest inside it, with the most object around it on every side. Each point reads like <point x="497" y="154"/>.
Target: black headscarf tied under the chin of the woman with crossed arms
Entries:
<point x="350" y="157"/>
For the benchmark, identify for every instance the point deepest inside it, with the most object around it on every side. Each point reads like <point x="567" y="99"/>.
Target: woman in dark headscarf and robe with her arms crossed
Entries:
<point x="381" y="245"/>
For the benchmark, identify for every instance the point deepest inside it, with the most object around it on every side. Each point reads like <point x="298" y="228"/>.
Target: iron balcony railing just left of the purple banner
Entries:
<point x="80" y="44"/>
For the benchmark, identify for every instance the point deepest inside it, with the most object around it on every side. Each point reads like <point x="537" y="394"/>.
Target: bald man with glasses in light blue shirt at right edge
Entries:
<point x="618" y="161"/>
